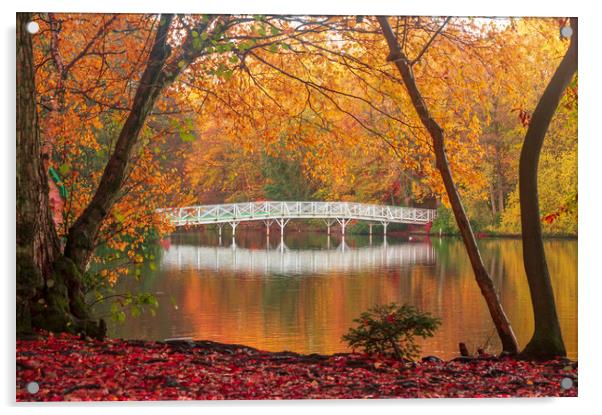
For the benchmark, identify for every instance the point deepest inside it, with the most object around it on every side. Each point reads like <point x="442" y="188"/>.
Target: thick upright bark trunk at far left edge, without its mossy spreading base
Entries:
<point x="37" y="242"/>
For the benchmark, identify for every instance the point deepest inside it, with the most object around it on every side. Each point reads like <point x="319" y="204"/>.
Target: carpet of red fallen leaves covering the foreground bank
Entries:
<point x="70" y="369"/>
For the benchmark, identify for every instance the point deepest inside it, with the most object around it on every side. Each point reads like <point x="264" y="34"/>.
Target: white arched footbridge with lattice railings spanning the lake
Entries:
<point x="282" y="212"/>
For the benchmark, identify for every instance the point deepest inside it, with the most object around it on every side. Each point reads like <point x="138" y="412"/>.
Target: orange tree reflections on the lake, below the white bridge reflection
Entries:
<point x="309" y="313"/>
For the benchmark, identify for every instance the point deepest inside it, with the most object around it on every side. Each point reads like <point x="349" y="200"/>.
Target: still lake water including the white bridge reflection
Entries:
<point x="302" y="293"/>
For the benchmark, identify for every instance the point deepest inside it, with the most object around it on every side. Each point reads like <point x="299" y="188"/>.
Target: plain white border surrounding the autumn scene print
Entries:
<point x="590" y="149"/>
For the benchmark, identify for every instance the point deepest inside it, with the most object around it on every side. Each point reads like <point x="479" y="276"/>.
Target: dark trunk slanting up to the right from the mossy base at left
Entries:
<point x="82" y="234"/>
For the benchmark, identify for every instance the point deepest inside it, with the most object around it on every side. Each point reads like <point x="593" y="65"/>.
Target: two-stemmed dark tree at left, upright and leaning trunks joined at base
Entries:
<point x="61" y="307"/>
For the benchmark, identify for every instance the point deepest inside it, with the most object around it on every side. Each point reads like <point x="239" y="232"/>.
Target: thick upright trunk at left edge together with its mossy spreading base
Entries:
<point x="44" y="278"/>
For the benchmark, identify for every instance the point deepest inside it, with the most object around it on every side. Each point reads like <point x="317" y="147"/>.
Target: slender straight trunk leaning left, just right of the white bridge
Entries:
<point x="502" y="325"/>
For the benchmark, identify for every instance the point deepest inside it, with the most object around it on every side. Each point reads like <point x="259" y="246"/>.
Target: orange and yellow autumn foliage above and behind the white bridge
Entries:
<point x="287" y="92"/>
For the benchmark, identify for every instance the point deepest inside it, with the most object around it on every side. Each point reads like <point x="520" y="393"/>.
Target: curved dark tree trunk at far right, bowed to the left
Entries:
<point x="547" y="338"/>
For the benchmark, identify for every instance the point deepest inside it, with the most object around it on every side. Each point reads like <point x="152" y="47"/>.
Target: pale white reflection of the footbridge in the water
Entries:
<point x="304" y="261"/>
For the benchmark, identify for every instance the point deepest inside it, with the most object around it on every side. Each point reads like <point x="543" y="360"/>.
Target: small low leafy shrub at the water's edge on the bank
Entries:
<point x="391" y="330"/>
